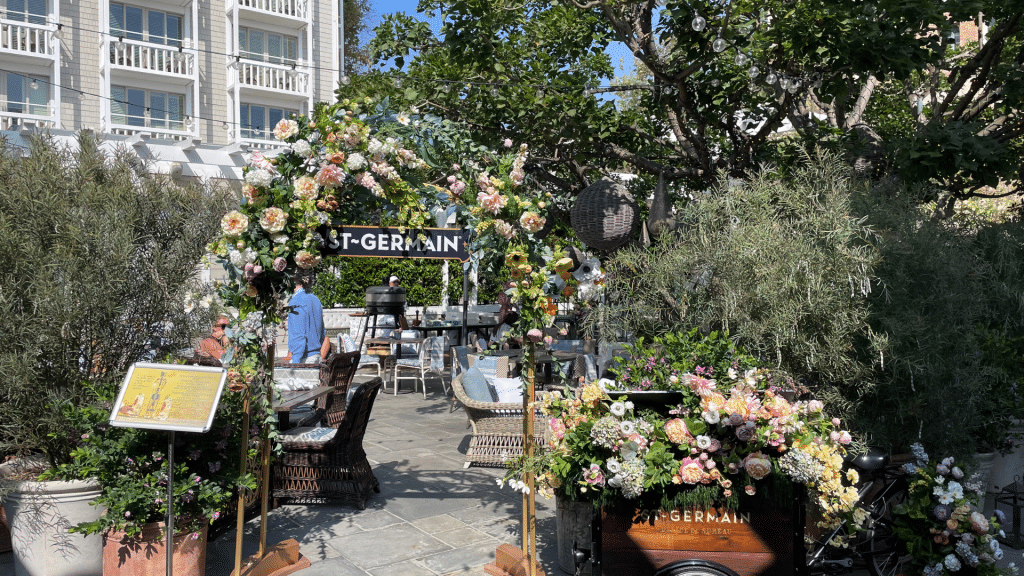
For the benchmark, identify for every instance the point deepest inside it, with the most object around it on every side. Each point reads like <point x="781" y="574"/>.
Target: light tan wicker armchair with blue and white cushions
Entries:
<point x="497" y="429"/>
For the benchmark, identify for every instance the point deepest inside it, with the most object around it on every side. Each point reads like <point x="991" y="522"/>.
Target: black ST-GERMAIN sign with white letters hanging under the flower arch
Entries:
<point x="391" y="243"/>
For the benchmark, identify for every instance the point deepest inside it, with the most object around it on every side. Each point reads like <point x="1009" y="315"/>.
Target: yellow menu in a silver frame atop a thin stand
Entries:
<point x="169" y="397"/>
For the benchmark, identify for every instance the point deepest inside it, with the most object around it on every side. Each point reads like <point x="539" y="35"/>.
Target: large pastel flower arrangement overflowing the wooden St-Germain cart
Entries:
<point x="735" y="431"/>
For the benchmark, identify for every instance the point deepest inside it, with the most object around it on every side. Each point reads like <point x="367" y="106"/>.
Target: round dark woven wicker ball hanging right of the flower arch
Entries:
<point x="606" y="216"/>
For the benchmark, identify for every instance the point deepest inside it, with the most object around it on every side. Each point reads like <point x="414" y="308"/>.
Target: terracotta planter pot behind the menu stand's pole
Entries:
<point x="146" y="555"/>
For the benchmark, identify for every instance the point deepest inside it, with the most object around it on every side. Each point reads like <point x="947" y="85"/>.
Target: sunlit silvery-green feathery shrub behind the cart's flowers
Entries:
<point x="784" y="266"/>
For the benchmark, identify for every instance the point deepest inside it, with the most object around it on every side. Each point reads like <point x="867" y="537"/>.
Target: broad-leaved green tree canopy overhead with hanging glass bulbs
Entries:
<point x="537" y="71"/>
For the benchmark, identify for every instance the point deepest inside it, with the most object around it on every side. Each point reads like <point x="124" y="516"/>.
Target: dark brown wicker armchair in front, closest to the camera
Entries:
<point x="335" y="470"/>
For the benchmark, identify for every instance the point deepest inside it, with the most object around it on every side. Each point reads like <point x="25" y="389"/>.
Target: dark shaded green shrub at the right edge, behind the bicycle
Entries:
<point x="950" y="298"/>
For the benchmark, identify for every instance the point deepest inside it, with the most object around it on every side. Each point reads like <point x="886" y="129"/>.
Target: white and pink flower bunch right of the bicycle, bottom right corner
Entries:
<point x="940" y="525"/>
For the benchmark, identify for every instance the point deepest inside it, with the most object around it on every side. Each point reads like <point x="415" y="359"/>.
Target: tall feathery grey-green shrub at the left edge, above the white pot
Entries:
<point x="98" y="263"/>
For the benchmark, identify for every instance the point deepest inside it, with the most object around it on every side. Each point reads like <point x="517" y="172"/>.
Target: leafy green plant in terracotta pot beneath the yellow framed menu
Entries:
<point x="132" y="466"/>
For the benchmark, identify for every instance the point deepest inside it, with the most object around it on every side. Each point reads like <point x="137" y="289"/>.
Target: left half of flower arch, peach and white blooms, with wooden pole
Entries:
<point x="335" y="167"/>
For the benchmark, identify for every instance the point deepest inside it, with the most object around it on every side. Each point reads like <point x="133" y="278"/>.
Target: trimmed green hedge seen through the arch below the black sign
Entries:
<point x="344" y="281"/>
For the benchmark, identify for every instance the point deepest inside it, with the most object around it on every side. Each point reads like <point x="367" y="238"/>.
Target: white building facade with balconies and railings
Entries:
<point x="161" y="74"/>
